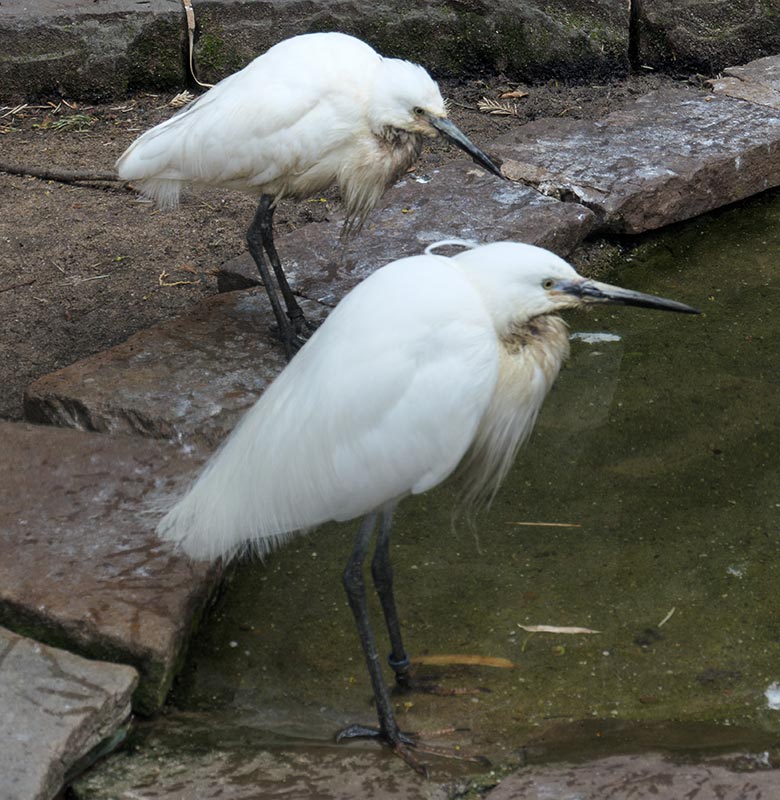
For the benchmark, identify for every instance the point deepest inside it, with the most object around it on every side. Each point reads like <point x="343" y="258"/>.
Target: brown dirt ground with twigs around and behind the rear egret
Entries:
<point x="85" y="267"/>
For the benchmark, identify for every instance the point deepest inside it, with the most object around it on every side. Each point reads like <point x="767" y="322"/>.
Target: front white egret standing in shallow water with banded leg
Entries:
<point x="432" y="363"/>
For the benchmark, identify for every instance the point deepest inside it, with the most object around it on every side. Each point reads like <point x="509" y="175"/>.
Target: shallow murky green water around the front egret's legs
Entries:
<point x="662" y="449"/>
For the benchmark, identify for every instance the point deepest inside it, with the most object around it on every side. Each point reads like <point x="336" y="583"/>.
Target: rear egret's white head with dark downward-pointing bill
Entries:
<point x="406" y="98"/>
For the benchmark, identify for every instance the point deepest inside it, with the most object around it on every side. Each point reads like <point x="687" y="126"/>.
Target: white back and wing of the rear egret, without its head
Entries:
<point x="263" y="128"/>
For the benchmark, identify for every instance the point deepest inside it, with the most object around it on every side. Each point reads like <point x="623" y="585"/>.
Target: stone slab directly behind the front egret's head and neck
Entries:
<point x="458" y="200"/>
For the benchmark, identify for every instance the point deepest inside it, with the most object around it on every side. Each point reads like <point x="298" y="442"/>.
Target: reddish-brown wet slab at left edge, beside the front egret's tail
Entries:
<point x="80" y="566"/>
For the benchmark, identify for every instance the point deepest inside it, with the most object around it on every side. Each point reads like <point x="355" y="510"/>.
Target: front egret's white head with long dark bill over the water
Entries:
<point x="520" y="282"/>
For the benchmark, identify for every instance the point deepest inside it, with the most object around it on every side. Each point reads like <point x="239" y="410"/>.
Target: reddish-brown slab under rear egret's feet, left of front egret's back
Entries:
<point x="189" y="379"/>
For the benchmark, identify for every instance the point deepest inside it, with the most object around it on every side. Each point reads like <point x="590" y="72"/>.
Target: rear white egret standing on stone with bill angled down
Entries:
<point x="314" y="110"/>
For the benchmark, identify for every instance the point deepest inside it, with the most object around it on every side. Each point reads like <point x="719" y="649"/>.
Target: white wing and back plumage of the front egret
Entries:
<point x="384" y="400"/>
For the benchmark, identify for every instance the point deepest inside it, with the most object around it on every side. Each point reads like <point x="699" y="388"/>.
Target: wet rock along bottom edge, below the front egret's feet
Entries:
<point x="182" y="764"/>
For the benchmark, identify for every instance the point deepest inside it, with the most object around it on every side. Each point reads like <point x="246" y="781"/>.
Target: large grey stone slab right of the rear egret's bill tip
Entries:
<point x="670" y="156"/>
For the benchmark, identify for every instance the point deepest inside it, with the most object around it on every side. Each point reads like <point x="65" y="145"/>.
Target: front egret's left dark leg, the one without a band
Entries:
<point x="356" y="595"/>
